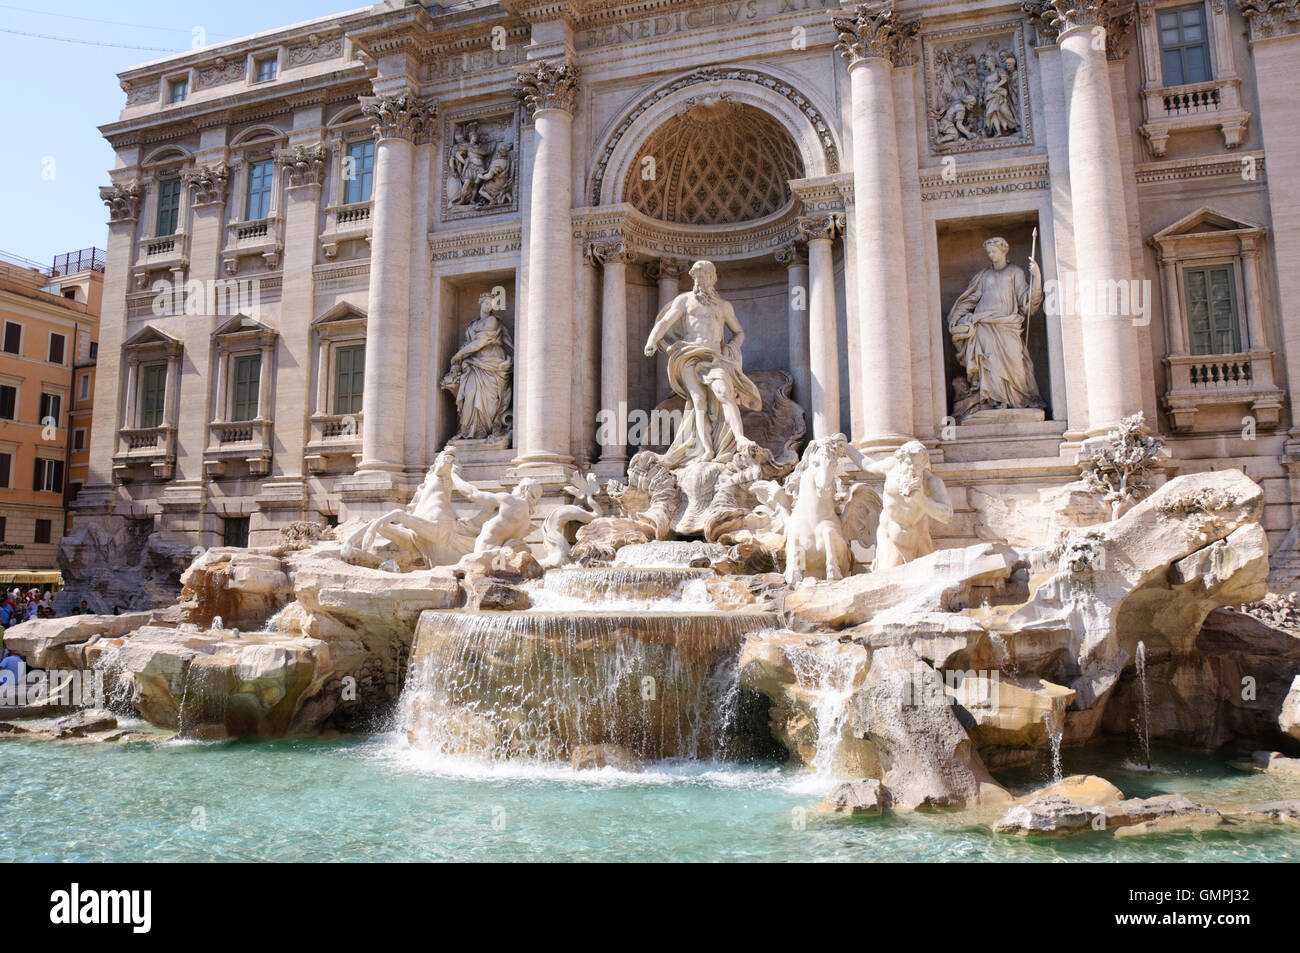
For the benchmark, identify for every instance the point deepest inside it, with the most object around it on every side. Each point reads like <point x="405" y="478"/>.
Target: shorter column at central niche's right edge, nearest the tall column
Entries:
<point x="820" y="232"/>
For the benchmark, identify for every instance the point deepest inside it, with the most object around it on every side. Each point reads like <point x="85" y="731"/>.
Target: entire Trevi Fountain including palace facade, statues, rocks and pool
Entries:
<point x="690" y="431"/>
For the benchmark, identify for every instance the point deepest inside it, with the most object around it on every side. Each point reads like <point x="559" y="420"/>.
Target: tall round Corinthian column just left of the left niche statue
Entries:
<point x="398" y="122"/>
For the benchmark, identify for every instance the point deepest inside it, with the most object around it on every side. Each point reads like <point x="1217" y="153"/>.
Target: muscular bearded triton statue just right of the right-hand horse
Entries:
<point x="913" y="497"/>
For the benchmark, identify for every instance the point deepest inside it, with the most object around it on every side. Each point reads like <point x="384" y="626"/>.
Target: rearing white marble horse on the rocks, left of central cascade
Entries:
<point x="428" y="527"/>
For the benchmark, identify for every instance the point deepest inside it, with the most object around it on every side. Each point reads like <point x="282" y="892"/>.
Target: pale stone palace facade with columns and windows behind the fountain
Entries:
<point x="311" y="228"/>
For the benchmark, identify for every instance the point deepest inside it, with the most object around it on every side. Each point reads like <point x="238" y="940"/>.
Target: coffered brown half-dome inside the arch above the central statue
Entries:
<point x="714" y="163"/>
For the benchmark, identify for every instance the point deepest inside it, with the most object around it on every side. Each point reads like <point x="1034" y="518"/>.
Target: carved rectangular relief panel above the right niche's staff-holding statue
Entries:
<point x="977" y="97"/>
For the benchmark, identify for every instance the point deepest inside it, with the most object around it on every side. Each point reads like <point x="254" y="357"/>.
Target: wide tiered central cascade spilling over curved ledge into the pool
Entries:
<point x="543" y="683"/>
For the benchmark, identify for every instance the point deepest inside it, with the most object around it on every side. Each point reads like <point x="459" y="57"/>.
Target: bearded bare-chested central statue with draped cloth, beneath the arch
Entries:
<point x="705" y="371"/>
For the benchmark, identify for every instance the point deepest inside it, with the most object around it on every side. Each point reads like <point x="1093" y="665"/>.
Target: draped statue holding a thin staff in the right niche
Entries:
<point x="989" y="324"/>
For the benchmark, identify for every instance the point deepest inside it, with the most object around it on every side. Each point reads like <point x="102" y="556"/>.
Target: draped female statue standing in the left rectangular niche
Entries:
<point x="480" y="375"/>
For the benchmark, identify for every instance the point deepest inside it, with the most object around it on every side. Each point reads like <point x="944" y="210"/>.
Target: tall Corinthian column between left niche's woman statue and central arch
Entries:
<point x="549" y="93"/>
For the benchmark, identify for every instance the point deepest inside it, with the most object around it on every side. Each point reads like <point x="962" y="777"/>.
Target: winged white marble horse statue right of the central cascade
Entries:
<point x="821" y="519"/>
